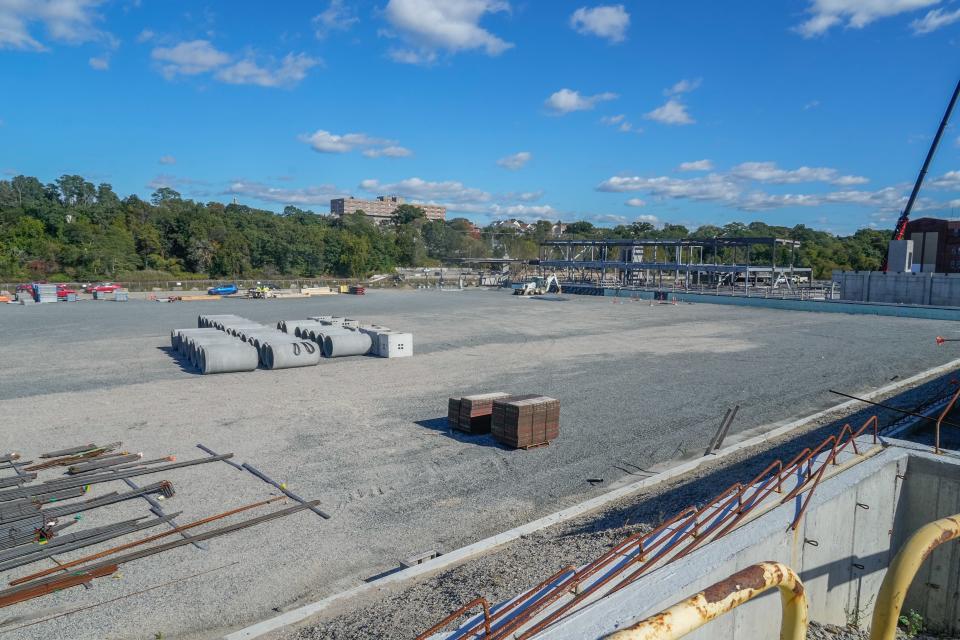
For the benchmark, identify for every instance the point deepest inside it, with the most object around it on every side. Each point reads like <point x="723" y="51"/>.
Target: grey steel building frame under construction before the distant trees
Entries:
<point x="734" y="265"/>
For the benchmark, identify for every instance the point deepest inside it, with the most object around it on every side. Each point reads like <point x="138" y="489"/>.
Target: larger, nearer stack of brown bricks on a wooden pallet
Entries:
<point x="525" y="421"/>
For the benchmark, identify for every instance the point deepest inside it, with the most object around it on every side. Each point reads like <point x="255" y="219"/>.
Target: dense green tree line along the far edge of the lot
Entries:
<point x="72" y="230"/>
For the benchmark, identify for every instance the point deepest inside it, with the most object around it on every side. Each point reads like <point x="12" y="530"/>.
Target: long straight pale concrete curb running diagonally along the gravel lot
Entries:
<point x="484" y="546"/>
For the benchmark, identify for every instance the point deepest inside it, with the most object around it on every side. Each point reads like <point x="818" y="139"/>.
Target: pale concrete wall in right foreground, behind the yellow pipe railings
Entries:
<point x="841" y="549"/>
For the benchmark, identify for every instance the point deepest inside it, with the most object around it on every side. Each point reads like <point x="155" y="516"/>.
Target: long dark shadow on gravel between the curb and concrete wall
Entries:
<point x="658" y="504"/>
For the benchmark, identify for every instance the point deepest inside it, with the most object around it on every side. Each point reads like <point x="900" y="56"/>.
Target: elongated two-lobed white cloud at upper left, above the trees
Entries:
<point x="197" y="57"/>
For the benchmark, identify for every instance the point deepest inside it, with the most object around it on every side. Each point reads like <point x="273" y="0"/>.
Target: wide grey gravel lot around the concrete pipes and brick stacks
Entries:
<point x="638" y="385"/>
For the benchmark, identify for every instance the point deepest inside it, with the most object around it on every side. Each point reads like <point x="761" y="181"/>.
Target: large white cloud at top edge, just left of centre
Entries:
<point x="429" y="26"/>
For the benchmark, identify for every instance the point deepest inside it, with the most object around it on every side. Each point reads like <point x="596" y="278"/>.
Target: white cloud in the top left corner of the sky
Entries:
<point x="67" y="21"/>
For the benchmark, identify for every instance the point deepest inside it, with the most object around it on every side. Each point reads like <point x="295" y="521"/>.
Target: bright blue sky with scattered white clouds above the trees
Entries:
<point x="801" y="111"/>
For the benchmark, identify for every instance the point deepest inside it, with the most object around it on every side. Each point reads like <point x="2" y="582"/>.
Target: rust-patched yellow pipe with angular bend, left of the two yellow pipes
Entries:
<point x="724" y="596"/>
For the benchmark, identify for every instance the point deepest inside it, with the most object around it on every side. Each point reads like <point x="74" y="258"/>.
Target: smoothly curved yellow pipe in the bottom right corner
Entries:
<point x="902" y="570"/>
